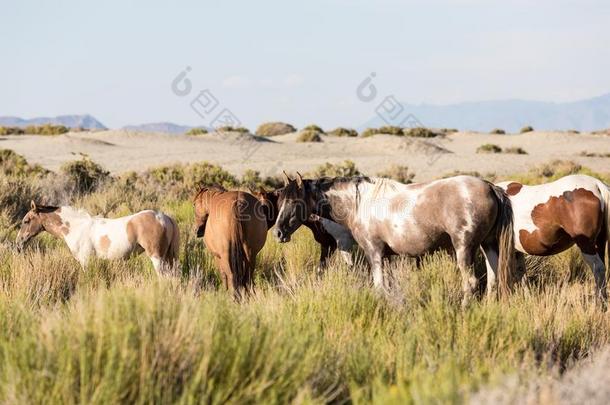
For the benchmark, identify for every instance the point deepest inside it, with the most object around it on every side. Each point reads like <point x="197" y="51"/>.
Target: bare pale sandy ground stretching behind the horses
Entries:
<point x="121" y="150"/>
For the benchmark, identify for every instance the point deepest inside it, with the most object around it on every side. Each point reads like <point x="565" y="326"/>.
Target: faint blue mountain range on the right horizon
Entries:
<point x="510" y="115"/>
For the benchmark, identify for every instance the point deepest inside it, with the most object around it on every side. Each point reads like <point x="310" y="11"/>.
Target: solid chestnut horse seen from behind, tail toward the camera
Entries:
<point x="234" y="228"/>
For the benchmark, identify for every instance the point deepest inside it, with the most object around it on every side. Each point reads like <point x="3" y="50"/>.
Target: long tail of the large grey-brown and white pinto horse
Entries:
<point x="507" y="264"/>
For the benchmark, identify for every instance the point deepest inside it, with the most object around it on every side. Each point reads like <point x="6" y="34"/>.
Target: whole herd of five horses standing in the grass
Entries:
<point x="461" y="214"/>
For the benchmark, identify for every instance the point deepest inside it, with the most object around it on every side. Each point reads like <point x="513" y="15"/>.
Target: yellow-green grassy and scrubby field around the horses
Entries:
<point x="118" y="333"/>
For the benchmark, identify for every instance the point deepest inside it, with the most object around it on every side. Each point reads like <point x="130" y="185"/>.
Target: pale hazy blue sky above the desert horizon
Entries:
<point x="294" y="61"/>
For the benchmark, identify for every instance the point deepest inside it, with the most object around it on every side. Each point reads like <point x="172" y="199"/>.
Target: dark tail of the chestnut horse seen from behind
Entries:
<point x="238" y="259"/>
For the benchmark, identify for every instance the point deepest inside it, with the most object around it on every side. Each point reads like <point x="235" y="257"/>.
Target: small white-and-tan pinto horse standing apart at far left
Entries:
<point x="153" y="232"/>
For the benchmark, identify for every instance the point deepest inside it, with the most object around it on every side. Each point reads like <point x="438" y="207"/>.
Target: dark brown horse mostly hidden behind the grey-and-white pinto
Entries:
<point x="330" y="235"/>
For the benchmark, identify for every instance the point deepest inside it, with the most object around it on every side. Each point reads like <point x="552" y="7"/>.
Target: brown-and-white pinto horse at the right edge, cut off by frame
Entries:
<point x="552" y="217"/>
